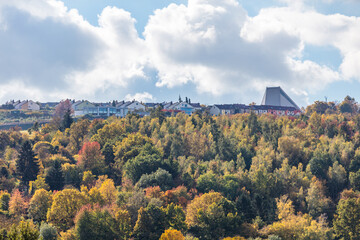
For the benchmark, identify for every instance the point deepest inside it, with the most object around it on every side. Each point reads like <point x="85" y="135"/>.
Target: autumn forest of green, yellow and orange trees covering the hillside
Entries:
<point x="184" y="177"/>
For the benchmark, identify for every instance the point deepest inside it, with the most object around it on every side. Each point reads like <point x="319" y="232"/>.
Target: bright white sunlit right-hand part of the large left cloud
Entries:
<point x="122" y="58"/>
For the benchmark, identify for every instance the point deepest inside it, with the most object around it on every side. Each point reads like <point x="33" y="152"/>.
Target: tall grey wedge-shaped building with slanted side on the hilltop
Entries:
<point x="275" y="96"/>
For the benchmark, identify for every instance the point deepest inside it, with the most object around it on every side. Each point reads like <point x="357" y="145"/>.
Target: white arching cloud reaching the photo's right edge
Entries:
<point x="316" y="29"/>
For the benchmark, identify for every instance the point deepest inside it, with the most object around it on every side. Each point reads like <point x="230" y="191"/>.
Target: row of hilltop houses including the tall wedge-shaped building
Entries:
<point x="275" y="101"/>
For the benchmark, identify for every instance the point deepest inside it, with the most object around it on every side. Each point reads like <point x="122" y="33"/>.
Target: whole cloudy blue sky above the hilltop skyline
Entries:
<point x="212" y="51"/>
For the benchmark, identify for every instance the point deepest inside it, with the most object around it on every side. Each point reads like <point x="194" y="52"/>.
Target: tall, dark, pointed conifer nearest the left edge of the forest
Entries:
<point x="27" y="166"/>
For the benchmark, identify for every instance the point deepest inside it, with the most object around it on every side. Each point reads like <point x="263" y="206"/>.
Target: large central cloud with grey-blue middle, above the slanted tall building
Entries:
<point x="215" y="45"/>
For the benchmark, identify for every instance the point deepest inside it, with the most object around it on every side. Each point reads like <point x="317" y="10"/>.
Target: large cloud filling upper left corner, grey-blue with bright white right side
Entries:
<point x="54" y="50"/>
